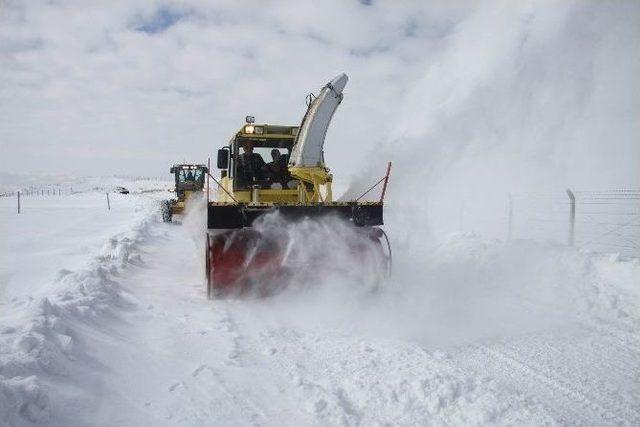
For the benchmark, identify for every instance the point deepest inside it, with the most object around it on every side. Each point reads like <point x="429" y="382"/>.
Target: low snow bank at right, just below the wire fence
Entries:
<point x="590" y="282"/>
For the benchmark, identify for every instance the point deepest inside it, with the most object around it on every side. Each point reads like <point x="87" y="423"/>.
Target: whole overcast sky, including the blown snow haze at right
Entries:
<point x="461" y="96"/>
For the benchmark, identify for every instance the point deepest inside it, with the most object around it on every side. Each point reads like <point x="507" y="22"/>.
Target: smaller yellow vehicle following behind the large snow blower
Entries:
<point x="189" y="182"/>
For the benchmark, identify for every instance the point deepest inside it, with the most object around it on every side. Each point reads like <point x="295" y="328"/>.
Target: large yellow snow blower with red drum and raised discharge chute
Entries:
<point x="295" y="185"/>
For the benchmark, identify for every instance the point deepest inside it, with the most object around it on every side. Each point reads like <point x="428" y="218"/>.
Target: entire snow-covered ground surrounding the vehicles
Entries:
<point x="104" y="321"/>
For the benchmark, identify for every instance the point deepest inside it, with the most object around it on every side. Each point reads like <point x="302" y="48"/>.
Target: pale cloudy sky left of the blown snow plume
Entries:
<point x="82" y="81"/>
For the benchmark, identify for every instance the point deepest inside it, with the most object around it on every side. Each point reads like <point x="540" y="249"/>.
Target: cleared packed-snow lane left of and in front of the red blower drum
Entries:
<point x="186" y="360"/>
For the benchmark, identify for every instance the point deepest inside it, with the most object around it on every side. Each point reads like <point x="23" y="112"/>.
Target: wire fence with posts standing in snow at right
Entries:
<point x="600" y="220"/>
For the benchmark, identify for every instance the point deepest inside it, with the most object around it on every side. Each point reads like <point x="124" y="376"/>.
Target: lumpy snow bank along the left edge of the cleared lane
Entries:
<point x="44" y="364"/>
